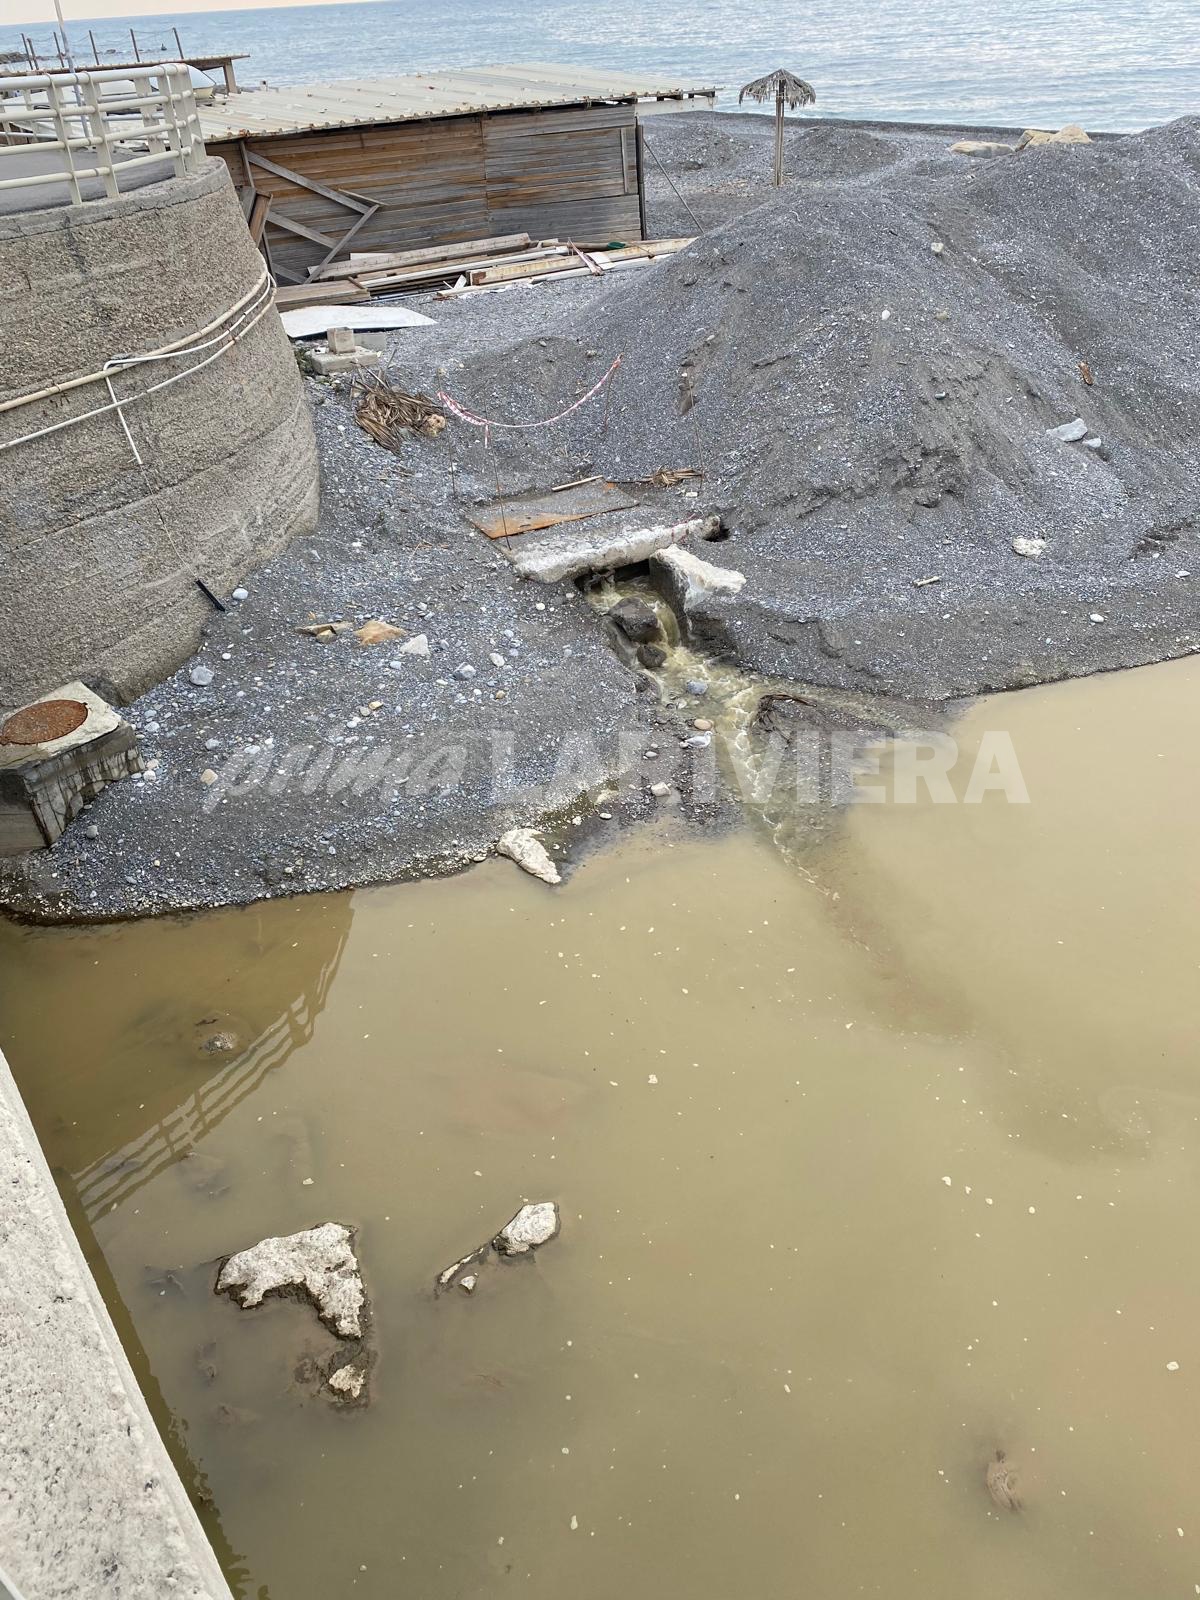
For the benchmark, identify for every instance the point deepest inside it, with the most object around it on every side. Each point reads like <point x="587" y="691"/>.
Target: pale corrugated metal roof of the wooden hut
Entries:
<point x="420" y="97"/>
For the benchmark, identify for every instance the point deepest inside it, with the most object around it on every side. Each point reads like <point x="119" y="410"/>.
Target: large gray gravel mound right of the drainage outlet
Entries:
<point x="871" y="369"/>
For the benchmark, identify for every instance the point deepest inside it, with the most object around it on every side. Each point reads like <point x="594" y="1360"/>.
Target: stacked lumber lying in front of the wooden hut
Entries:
<point x="470" y="268"/>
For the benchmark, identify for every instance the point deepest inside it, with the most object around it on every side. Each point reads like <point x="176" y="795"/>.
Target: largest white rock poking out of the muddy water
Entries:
<point x="319" y="1263"/>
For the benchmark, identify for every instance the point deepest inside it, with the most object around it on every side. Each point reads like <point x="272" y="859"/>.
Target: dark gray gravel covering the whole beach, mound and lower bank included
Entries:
<point x="870" y="414"/>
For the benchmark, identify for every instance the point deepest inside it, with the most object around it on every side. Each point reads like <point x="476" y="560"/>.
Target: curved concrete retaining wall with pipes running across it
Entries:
<point x="98" y="556"/>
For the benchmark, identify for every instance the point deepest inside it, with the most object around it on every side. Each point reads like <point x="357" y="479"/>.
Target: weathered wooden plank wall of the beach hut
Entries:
<point x="569" y="174"/>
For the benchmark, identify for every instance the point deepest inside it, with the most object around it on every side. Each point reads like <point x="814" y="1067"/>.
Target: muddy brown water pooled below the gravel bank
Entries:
<point x="866" y="1172"/>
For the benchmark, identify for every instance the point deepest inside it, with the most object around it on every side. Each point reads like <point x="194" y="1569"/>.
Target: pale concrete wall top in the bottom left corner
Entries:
<point x="90" y="1503"/>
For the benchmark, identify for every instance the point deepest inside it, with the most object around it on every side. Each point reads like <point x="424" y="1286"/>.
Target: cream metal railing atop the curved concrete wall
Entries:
<point x="100" y="126"/>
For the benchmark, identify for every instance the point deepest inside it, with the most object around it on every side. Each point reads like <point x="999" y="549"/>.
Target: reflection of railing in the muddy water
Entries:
<point x="113" y="1178"/>
